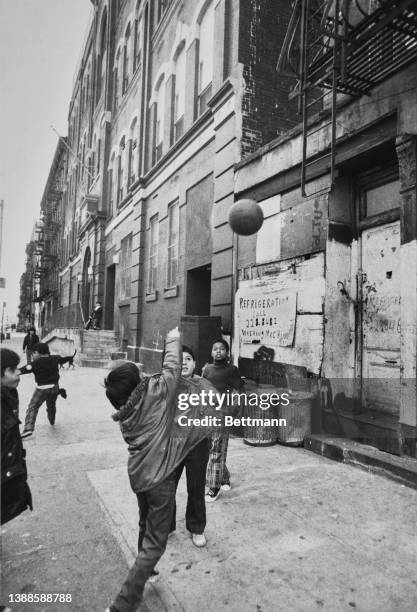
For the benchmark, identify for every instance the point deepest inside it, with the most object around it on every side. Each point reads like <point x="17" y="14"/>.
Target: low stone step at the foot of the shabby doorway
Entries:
<point x="401" y="469"/>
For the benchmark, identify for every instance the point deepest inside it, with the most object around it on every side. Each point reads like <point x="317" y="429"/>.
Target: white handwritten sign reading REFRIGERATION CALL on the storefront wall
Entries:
<point x="266" y="318"/>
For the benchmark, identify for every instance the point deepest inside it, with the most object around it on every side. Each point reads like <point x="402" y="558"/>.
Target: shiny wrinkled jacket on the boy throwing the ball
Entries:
<point x="149" y="424"/>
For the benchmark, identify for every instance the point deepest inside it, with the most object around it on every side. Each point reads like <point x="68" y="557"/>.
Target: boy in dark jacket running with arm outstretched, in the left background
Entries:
<point x="45" y="367"/>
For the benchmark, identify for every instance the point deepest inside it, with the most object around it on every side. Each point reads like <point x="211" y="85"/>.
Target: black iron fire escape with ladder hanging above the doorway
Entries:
<point x="348" y="47"/>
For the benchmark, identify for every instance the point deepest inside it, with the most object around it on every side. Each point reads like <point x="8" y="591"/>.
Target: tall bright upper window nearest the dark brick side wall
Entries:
<point x="205" y="60"/>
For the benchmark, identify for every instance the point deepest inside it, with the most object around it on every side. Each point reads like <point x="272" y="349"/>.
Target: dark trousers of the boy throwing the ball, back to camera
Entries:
<point x="156" y="507"/>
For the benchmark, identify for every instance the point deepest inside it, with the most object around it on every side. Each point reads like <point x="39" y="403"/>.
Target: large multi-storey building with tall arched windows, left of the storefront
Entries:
<point x="168" y="96"/>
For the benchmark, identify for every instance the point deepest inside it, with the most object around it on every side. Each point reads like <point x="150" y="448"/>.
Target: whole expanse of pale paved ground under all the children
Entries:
<point x="297" y="532"/>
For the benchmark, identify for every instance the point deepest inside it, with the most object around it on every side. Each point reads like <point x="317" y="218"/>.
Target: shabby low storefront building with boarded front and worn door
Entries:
<point x="338" y="246"/>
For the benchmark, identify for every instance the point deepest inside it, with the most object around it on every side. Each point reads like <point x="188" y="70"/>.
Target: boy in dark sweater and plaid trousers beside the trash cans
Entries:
<point x="225" y="377"/>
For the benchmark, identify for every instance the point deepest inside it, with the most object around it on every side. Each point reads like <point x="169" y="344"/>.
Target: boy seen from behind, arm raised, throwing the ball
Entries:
<point x="148" y="414"/>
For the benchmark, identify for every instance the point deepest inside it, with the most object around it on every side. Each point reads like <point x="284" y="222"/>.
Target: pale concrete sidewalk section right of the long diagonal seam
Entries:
<point x="297" y="532"/>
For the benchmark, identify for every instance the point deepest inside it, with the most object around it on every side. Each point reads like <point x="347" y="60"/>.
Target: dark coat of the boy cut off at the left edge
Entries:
<point x="15" y="493"/>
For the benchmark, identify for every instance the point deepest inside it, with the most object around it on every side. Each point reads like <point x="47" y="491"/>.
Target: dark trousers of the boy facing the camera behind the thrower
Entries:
<point x="195" y="464"/>
